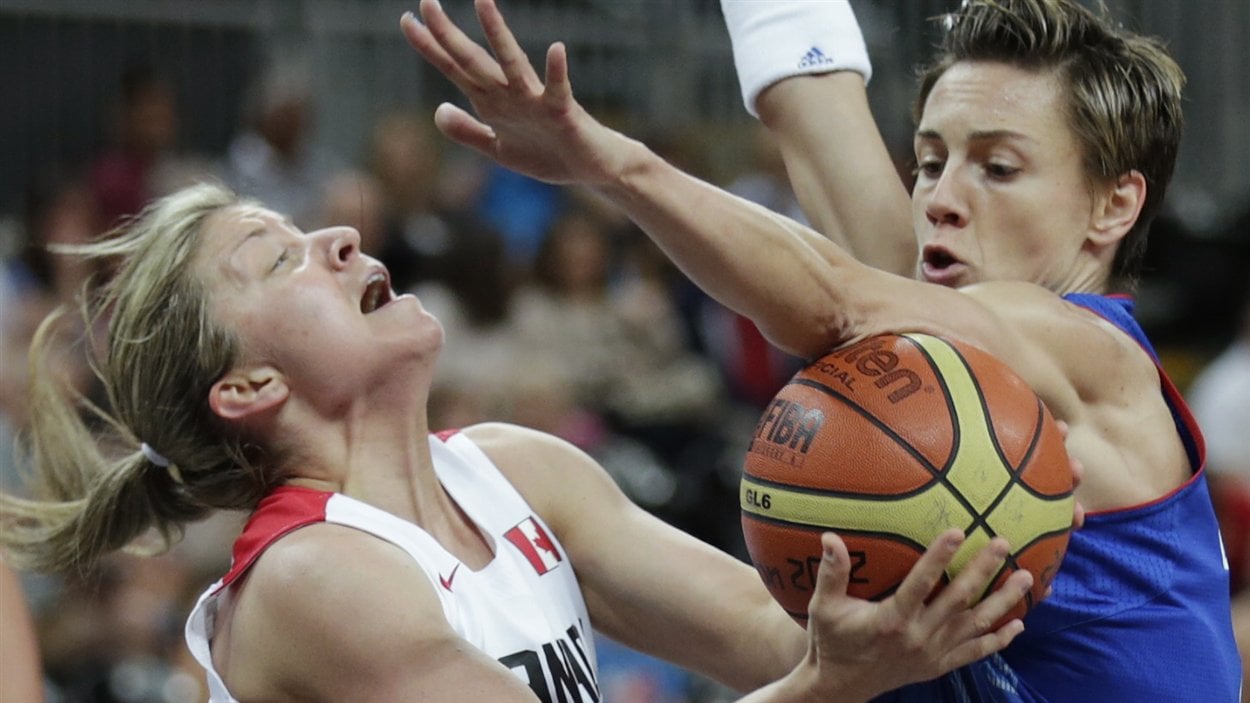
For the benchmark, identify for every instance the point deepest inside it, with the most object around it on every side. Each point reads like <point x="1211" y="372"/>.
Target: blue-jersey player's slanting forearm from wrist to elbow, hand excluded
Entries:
<point x="787" y="278"/>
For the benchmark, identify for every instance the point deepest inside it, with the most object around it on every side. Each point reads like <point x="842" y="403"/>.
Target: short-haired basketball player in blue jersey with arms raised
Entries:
<point x="1046" y="141"/>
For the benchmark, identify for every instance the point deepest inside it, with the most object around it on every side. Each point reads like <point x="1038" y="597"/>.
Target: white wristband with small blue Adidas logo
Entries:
<point x="777" y="39"/>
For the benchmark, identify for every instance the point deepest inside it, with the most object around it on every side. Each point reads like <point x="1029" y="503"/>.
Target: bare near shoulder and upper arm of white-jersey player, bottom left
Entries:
<point x="331" y="614"/>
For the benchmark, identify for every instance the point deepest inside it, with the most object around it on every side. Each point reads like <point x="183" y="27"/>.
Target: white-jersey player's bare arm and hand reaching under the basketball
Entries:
<point x="663" y="592"/>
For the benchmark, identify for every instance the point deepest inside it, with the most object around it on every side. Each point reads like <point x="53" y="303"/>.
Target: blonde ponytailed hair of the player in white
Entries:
<point x="93" y="492"/>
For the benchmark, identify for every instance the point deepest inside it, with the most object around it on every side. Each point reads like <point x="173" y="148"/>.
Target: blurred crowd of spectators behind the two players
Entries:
<point x="559" y="313"/>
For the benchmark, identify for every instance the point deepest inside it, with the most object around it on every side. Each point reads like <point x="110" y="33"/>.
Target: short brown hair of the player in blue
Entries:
<point x="1123" y="91"/>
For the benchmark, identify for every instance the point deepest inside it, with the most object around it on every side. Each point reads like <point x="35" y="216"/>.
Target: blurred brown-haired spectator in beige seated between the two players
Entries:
<point x="617" y="345"/>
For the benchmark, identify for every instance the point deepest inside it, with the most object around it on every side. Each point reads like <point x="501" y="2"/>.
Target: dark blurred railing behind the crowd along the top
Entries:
<point x="652" y="66"/>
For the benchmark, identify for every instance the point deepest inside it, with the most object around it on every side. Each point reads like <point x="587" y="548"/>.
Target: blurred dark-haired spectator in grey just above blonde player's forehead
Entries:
<point x="273" y="158"/>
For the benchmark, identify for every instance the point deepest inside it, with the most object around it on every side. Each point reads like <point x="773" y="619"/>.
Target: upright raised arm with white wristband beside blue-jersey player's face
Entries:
<point x="803" y="68"/>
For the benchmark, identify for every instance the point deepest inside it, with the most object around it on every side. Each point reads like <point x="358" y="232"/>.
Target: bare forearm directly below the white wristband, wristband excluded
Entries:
<point x="841" y="168"/>
